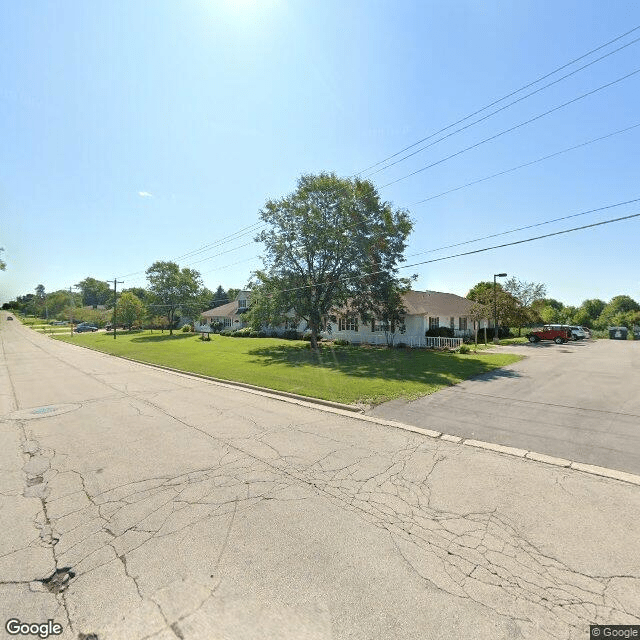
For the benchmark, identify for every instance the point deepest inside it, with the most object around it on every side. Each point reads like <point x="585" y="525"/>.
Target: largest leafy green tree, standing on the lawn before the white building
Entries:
<point x="322" y="241"/>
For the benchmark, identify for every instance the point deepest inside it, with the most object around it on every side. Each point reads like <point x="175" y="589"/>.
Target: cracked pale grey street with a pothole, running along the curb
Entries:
<point x="137" y="503"/>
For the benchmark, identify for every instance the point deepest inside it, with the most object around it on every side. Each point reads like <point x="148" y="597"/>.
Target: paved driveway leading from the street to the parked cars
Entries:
<point x="579" y="401"/>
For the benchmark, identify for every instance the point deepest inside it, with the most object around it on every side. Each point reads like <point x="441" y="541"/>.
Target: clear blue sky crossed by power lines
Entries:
<point x="138" y="131"/>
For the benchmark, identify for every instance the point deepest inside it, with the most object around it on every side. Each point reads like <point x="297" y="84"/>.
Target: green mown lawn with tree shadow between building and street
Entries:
<point x="343" y="374"/>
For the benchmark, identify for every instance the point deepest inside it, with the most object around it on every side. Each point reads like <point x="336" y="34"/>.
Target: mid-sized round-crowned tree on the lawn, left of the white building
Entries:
<point x="172" y="289"/>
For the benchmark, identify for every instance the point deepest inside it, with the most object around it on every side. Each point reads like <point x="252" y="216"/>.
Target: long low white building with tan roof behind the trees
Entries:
<point x="425" y="310"/>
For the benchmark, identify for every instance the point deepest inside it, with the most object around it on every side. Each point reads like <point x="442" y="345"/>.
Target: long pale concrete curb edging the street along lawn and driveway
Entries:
<point x="355" y="413"/>
